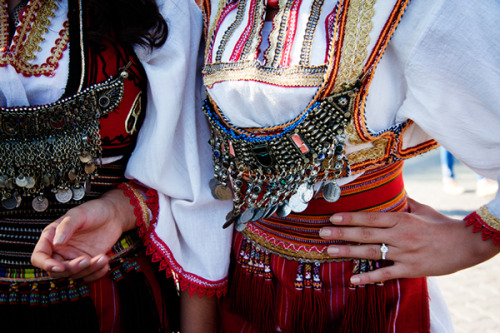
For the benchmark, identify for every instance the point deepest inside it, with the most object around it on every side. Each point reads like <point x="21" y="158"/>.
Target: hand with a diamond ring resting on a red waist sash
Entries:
<point x="422" y="242"/>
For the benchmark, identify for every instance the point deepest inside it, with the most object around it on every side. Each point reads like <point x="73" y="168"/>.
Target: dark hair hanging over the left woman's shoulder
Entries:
<point x="127" y="22"/>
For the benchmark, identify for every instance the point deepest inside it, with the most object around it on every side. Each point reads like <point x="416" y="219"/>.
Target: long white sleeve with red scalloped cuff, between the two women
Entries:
<point x="172" y="160"/>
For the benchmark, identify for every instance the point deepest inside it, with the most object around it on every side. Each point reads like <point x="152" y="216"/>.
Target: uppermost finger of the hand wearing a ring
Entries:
<point x="366" y="219"/>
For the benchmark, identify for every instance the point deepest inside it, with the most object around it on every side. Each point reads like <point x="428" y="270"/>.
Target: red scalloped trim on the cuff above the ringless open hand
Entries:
<point x="143" y="198"/>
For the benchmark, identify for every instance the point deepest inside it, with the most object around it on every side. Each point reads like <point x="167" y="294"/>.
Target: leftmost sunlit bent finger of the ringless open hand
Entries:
<point x="42" y="256"/>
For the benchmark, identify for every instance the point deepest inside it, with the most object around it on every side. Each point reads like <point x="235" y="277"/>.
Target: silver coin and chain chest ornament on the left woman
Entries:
<point x="54" y="147"/>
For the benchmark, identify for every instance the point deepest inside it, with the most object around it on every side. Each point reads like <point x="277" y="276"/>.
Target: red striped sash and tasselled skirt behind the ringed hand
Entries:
<point x="283" y="280"/>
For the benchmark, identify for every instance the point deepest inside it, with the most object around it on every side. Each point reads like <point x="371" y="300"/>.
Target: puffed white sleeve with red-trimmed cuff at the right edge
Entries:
<point x="450" y="54"/>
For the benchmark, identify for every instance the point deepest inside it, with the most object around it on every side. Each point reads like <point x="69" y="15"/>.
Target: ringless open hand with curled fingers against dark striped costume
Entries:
<point x="75" y="245"/>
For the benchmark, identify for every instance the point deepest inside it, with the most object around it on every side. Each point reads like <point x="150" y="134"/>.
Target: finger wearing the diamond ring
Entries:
<point x="371" y="251"/>
